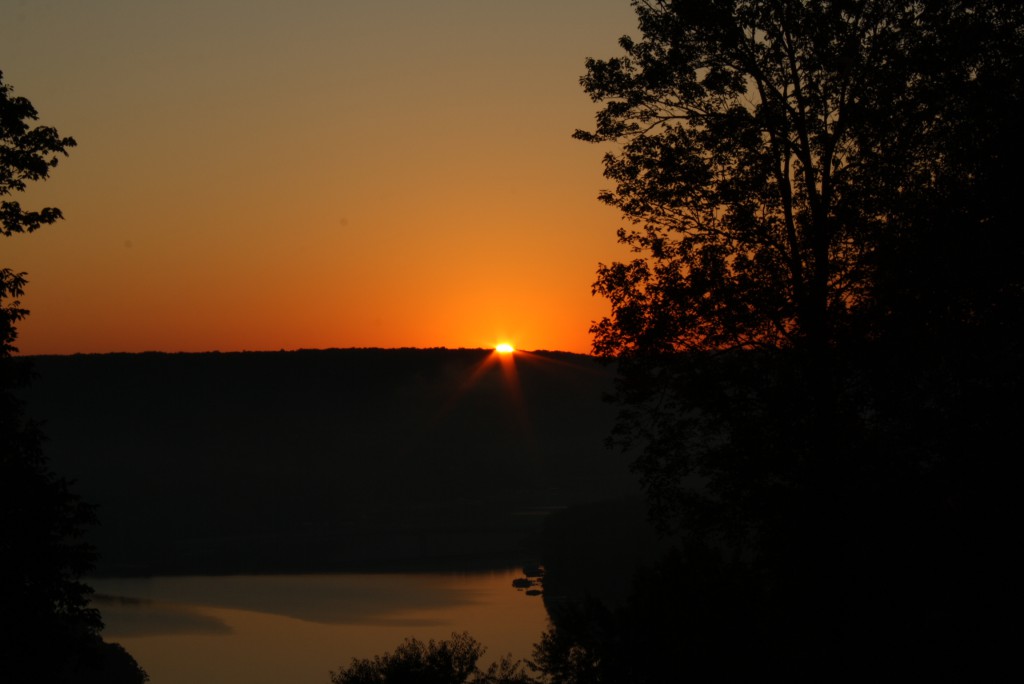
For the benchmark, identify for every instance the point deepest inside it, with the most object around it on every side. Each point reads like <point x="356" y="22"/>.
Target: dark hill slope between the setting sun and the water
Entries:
<point x="325" y="460"/>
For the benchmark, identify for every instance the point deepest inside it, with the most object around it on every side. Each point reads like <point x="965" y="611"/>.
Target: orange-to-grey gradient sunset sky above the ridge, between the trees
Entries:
<point x="272" y="175"/>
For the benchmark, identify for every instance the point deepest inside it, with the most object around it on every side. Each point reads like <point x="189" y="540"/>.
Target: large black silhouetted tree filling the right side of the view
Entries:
<point x="815" y="338"/>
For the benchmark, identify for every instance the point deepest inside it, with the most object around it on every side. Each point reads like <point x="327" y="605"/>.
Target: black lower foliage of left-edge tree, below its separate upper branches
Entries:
<point x="51" y="632"/>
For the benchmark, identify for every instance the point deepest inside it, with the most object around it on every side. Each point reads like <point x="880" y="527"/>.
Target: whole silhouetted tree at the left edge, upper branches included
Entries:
<point x="51" y="633"/>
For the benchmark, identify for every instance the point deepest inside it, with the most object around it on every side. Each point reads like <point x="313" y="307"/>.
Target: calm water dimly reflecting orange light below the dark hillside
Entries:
<point x="295" y="629"/>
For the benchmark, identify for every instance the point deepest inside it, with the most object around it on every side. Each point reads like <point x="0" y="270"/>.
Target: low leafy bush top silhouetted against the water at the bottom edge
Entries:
<point x="447" y="662"/>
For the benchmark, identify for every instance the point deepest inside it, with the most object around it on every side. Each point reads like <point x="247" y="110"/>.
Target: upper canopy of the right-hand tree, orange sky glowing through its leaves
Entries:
<point x="772" y="154"/>
